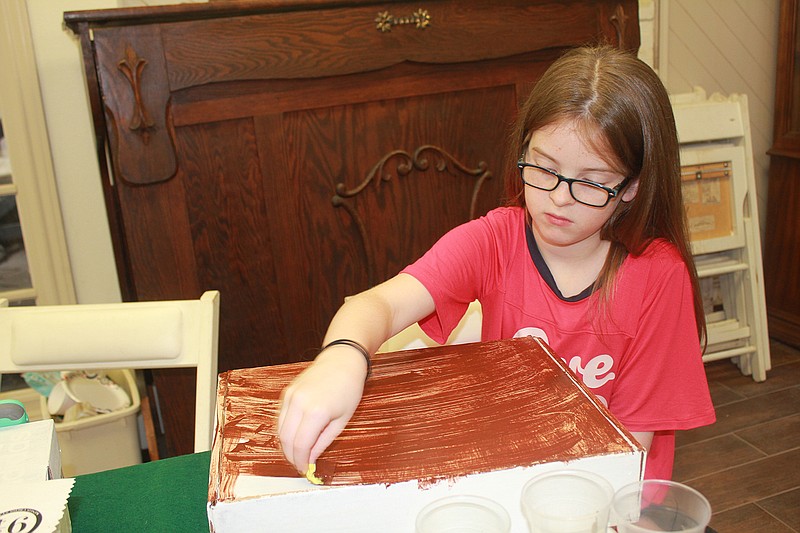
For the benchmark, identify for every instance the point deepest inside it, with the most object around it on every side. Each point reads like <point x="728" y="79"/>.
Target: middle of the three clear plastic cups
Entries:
<point x="567" y="501"/>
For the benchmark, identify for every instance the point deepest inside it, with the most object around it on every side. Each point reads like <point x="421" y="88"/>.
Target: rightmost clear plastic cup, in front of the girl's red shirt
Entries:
<point x="660" y="505"/>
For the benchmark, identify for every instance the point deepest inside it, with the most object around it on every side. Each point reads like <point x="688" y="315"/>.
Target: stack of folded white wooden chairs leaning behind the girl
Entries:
<point x="720" y="195"/>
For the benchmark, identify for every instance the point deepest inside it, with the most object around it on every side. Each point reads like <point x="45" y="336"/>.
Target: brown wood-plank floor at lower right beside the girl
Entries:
<point x="748" y="463"/>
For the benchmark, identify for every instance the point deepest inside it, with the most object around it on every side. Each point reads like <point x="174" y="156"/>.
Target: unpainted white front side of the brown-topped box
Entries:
<point x="394" y="507"/>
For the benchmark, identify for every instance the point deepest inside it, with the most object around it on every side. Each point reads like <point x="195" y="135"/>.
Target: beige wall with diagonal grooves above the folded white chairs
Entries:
<point x="729" y="46"/>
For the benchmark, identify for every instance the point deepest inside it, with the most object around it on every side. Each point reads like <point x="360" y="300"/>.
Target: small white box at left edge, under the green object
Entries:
<point x="29" y="453"/>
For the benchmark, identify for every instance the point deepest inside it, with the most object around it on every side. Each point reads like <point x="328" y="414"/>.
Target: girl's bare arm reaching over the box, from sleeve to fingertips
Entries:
<point x="317" y="405"/>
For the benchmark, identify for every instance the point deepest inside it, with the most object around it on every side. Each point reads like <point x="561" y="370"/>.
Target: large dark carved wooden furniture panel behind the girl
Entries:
<point x="290" y="153"/>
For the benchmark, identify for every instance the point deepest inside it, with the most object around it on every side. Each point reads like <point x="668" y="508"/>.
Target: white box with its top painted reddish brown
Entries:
<point x="477" y="419"/>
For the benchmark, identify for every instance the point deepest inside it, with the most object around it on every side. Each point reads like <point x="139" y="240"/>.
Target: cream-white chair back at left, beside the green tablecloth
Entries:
<point x="134" y="335"/>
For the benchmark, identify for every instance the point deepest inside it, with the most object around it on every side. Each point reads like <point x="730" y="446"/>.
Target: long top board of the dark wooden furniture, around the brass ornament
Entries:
<point x="342" y="41"/>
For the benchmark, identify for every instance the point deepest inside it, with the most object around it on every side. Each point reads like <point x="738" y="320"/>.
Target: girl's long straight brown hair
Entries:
<point x="611" y="91"/>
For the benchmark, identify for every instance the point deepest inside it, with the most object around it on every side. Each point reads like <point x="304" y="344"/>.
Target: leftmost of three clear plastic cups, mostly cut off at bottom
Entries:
<point x="463" y="514"/>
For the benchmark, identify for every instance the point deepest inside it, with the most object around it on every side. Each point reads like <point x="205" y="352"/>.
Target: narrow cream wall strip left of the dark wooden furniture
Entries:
<point x="69" y="126"/>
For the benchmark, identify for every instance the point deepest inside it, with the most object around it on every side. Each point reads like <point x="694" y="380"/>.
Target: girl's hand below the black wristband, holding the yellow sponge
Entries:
<point x="317" y="405"/>
